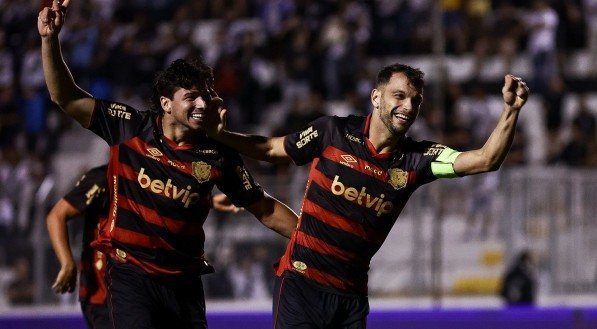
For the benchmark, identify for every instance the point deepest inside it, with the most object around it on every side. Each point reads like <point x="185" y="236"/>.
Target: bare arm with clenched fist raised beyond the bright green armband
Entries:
<point x="490" y="157"/>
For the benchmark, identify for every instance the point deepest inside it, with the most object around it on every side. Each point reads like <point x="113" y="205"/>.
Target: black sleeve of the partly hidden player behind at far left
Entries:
<point x="89" y="190"/>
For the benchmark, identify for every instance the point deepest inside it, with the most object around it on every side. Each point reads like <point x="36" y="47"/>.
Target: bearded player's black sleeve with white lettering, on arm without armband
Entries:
<point x="305" y="145"/>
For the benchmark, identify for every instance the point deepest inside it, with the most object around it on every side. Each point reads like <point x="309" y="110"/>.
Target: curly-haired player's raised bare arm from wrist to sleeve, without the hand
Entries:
<point x="60" y="83"/>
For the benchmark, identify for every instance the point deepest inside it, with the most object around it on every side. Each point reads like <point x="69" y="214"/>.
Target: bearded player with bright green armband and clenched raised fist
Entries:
<point x="363" y="171"/>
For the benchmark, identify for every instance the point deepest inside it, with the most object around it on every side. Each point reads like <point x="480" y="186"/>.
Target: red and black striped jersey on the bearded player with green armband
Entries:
<point x="352" y="199"/>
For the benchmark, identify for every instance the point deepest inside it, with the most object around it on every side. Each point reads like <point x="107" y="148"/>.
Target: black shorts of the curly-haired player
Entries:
<point x="138" y="300"/>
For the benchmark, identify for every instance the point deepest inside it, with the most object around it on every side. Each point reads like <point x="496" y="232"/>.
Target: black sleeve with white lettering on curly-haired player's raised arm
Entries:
<point x="115" y="122"/>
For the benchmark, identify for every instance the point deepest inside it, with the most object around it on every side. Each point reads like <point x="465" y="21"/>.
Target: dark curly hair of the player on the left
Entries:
<point x="181" y="74"/>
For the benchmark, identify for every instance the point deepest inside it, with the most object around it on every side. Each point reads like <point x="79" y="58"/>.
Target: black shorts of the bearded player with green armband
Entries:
<point x="300" y="303"/>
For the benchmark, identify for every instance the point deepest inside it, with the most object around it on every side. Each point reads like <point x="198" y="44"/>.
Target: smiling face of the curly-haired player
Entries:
<point x="186" y="108"/>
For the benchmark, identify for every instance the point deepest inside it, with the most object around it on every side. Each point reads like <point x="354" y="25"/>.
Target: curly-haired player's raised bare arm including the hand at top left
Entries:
<point x="63" y="90"/>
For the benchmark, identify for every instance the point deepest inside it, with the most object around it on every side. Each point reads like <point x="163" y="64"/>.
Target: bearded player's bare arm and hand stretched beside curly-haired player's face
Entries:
<point x="270" y="149"/>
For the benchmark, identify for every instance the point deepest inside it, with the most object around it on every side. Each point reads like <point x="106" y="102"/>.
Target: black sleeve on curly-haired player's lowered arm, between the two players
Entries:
<point x="237" y="183"/>
